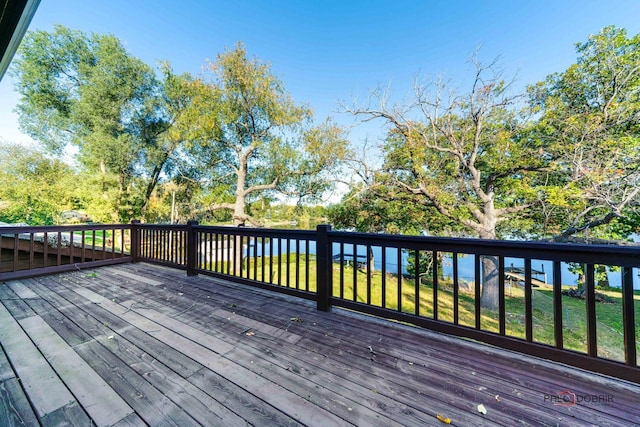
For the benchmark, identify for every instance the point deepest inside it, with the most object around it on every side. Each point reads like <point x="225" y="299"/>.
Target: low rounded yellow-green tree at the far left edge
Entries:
<point x="35" y="188"/>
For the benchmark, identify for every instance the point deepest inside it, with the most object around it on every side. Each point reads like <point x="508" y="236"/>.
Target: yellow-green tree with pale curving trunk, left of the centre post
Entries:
<point x="248" y="138"/>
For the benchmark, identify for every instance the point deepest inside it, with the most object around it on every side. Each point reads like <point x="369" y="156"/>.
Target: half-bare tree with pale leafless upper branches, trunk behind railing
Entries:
<point x="465" y="157"/>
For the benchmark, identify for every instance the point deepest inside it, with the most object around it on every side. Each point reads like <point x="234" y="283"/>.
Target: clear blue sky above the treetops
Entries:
<point x="330" y="51"/>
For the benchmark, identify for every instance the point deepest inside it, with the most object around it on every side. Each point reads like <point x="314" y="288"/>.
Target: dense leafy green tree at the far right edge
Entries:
<point x="589" y="118"/>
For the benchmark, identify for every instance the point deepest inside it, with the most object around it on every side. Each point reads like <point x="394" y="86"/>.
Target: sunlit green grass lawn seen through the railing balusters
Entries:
<point x="609" y="315"/>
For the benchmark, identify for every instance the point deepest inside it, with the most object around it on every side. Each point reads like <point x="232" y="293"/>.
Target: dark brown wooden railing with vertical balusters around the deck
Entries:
<point x="436" y="283"/>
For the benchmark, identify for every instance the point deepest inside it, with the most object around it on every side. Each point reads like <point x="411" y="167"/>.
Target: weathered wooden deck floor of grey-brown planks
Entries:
<point x="138" y="344"/>
